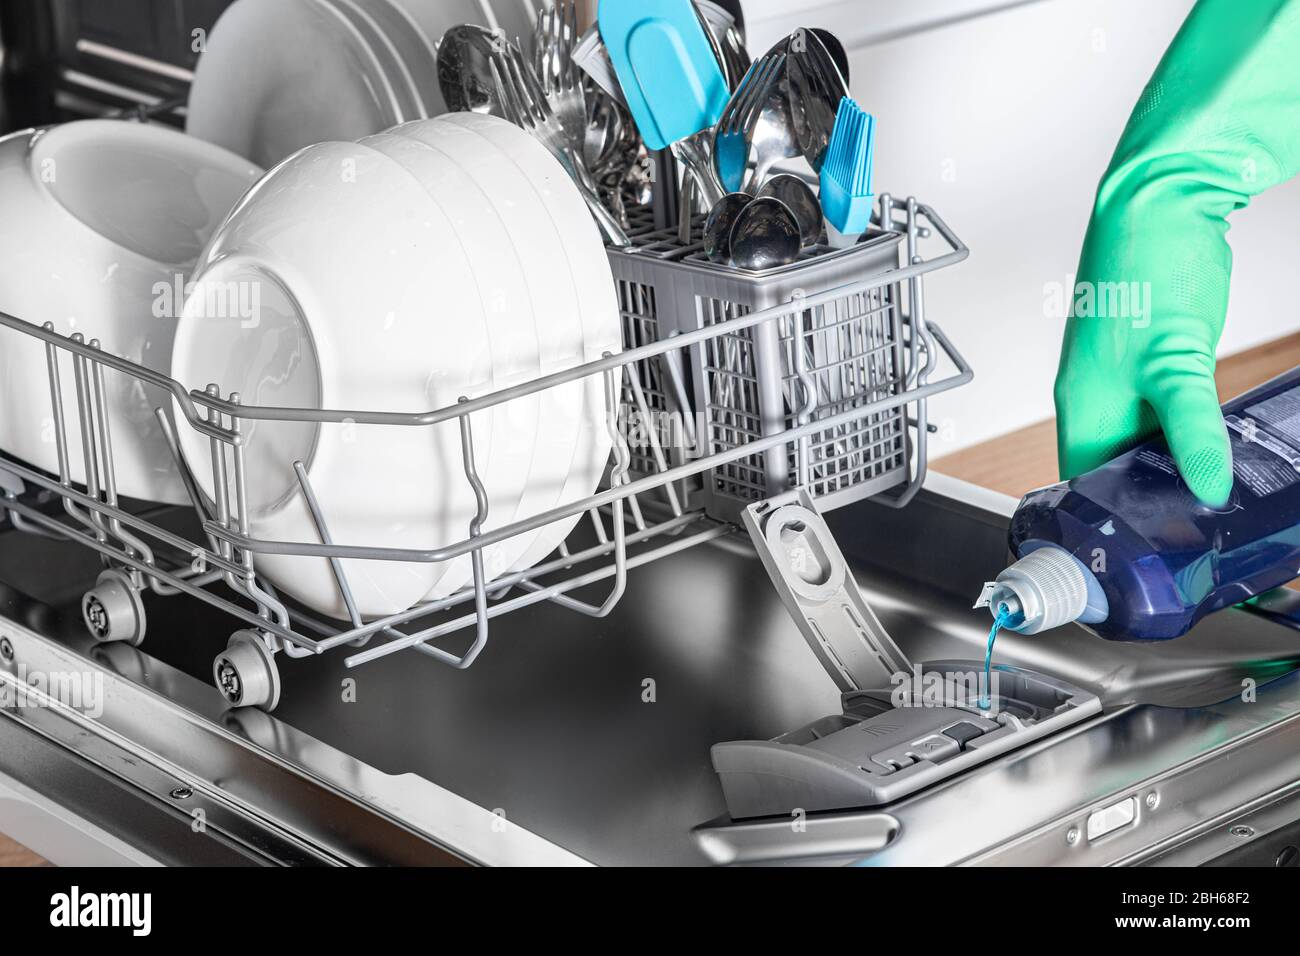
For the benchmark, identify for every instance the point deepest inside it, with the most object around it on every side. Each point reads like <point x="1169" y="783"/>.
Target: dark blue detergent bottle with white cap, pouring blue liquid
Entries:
<point x="1130" y="552"/>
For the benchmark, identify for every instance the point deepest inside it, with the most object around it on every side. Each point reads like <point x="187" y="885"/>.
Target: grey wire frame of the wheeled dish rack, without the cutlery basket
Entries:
<point x="640" y="514"/>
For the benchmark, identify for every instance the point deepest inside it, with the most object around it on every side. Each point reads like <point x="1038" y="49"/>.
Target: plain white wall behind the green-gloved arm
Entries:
<point x="1004" y="124"/>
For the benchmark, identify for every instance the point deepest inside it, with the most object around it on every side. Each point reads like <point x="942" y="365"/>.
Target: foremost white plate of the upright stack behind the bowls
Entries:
<point x="278" y="76"/>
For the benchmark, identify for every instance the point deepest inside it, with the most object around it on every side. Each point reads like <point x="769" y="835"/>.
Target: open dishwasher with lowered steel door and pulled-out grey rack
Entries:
<point x="701" y="674"/>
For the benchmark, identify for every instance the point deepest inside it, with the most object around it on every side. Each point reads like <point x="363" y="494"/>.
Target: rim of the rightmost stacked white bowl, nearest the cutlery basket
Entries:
<point x="597" y="309"/>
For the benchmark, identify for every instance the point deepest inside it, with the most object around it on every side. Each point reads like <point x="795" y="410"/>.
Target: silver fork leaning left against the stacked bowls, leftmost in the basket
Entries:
<point x="527" y="107"/>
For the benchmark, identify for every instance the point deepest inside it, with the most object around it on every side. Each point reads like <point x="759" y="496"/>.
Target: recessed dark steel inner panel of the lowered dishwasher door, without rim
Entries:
<point x="596" y="734"/>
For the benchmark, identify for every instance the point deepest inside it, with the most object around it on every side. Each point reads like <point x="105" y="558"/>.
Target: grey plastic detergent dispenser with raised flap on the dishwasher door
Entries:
<point x="904" y="726"/>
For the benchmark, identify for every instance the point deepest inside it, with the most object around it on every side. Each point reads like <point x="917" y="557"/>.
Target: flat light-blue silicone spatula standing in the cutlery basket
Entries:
<point x="671" y="79"/>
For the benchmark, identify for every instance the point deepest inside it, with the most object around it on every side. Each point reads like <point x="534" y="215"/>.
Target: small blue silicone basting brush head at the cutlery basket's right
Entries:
<point x="847" y="175"/>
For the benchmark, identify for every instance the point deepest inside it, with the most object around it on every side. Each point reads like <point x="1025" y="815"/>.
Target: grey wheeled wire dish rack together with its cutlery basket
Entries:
<point x="809" y="384"/>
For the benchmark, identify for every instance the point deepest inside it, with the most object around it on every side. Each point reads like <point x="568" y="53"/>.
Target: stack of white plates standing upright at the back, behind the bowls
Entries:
<point x="281" y="75"/>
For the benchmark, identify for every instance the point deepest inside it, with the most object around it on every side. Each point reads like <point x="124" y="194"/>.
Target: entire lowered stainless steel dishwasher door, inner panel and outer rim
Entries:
<point x="588" y="741"/>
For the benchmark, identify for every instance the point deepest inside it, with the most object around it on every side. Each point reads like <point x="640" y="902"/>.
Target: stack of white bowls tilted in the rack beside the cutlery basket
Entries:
<point x="441" y="259"/>
